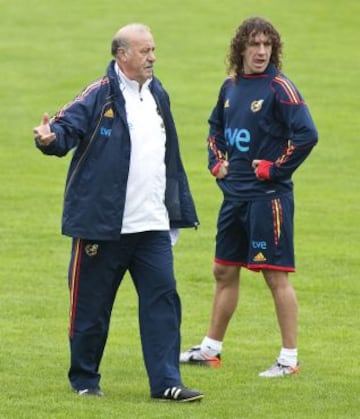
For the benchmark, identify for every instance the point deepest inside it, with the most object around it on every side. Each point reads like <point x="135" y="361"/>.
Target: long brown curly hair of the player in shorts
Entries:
<point x="246" y="31"/>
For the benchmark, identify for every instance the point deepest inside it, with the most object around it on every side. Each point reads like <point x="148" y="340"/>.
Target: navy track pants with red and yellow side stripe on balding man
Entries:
<point x="95" y="273"/>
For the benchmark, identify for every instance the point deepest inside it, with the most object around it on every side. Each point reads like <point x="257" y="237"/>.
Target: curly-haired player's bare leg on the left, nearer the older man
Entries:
<point x="225" y="299"/>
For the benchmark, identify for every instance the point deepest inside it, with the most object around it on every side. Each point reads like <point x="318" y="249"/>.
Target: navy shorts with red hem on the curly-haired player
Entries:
<point x="257" y="234"/>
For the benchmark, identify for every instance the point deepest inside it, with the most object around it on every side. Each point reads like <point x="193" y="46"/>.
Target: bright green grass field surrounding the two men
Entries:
<point x="49" y="52"/>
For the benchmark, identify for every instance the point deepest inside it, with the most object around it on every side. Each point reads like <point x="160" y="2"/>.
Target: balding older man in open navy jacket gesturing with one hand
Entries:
<point x="125" y="189"/>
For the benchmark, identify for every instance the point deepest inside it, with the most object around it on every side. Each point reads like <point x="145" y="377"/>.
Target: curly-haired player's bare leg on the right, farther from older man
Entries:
<point x="285" y="305"/>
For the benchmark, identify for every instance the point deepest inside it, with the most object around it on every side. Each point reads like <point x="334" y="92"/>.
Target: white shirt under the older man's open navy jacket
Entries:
<point x="145" y="194"/>
